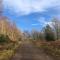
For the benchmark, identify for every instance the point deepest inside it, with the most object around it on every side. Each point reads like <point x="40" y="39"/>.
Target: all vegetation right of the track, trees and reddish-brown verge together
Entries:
<point x="48" y="39"/>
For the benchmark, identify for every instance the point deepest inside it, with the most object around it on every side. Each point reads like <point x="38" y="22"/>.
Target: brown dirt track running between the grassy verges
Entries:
<point x="28" y="52"/>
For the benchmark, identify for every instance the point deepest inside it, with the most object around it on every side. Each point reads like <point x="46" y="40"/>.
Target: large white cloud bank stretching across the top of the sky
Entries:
<point x="29" y="6"/>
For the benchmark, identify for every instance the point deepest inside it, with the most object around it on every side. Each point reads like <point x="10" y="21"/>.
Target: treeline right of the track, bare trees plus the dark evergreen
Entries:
<point x="50" y="32"/>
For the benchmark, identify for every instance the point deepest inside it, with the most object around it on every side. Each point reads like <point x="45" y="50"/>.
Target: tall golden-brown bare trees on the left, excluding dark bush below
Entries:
<point x="10" y="29"/>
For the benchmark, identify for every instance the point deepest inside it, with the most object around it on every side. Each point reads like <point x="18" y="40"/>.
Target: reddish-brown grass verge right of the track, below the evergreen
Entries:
<point x="51" y="48"/>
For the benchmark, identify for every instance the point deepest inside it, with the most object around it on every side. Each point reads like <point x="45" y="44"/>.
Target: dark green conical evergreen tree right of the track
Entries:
<point x="49" y="34"/>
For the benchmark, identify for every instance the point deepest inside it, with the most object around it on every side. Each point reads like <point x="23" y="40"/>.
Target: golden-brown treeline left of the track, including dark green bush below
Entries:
<point x="8" y="31"/>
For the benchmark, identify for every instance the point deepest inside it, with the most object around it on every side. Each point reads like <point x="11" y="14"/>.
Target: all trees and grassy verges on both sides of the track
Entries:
<point x="47" y="39"/>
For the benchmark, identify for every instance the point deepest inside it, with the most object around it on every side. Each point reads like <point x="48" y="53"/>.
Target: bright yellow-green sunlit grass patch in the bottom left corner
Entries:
<point x="6" y="54"/>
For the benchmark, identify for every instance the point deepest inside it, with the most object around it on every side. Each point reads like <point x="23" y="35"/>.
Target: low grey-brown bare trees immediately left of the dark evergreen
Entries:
<point x="37" y="35"/>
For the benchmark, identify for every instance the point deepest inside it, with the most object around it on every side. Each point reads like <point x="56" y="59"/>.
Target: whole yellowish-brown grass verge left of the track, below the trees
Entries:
<point x="8" y="50"/>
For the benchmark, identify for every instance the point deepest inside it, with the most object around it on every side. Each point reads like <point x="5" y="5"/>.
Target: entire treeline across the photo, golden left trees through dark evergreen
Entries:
<point x="9" y="31"/>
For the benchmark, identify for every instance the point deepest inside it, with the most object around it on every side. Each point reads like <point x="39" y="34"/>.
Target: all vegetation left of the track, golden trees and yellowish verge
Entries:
<point x="10" y="38"/>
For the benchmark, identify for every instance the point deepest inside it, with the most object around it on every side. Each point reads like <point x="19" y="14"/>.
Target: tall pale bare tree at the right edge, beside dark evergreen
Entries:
<point x="56" y="26"/>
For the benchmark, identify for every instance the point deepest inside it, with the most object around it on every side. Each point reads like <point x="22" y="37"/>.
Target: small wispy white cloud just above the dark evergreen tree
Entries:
<point x="42" y="22"/>
